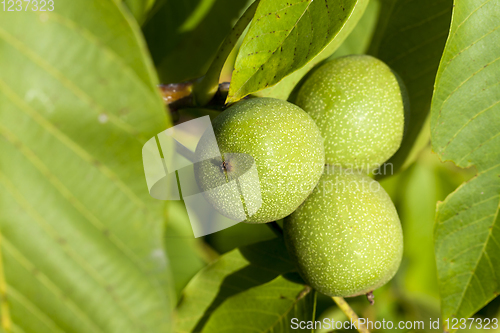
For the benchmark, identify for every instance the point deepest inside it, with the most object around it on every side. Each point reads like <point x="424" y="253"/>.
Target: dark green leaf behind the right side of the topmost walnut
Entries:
<point x="410" y="38"/>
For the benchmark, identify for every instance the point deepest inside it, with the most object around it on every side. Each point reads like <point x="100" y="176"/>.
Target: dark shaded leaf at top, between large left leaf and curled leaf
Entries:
<point x="184" y="35"/>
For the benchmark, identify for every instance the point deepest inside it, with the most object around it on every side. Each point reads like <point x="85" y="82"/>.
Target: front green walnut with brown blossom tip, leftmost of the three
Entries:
<point x="284" y="144"/>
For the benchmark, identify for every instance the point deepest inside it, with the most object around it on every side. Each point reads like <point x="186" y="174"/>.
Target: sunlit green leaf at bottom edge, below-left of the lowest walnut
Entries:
<point x="266" y="308"/>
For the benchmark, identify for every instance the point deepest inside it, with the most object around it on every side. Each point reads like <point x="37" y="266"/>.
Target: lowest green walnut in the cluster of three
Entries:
<point x="346" y="238"/>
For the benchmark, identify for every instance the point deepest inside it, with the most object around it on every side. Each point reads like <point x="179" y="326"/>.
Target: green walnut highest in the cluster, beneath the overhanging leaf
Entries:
<point x="357" y="103"/>
